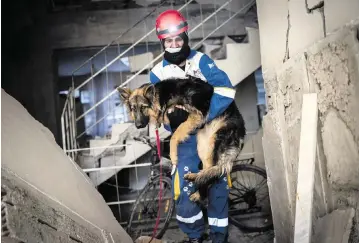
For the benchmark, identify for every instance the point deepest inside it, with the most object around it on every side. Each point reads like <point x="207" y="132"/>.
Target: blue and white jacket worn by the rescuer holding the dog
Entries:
<point x="201" y="66"/>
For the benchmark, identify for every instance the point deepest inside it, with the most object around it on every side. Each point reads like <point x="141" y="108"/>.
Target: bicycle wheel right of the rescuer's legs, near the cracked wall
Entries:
<point x="249" y="206"/>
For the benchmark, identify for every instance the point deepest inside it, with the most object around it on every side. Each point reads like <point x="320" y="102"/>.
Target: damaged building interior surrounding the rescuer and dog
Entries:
<point x="76" y="168"/>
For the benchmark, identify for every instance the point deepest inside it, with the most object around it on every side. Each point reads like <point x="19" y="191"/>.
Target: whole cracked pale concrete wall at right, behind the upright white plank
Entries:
<point x="311" y="46"/>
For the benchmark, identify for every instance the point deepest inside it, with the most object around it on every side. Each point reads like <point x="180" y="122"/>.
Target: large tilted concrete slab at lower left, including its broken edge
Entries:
<point x="47" y="196"/>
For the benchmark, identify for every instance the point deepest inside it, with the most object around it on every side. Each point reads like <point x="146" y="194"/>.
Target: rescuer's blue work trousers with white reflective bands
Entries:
<point x="188" y="214"/>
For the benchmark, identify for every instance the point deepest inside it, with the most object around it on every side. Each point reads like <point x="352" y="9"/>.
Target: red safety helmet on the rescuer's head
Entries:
<point x="170" y="23"/>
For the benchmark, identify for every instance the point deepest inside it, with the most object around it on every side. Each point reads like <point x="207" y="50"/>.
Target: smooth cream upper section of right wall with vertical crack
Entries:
<point x="287" y="27"/>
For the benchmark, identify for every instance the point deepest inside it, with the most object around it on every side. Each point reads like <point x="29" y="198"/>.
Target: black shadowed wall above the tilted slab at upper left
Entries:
<point x="27" y="61"/>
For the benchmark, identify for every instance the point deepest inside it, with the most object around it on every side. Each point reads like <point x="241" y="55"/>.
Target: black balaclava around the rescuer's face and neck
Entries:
<point x="178" y="56"/>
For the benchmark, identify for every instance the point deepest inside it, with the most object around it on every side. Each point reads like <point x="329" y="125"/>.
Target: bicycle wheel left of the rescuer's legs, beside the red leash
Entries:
<point x="144" y="213"/>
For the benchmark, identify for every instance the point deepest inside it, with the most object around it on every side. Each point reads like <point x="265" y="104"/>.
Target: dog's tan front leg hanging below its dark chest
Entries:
<point x="193" y="121"/>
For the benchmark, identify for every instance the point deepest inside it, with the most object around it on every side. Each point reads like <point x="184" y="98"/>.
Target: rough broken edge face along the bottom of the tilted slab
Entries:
<point x="26" y="218"/>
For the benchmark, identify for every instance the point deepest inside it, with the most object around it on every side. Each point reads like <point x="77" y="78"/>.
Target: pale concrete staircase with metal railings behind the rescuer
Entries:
<point x="119" y="151"/>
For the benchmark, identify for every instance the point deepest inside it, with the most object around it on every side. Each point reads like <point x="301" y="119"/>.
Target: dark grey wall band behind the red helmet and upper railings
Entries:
<point x="98" y="28"/>
